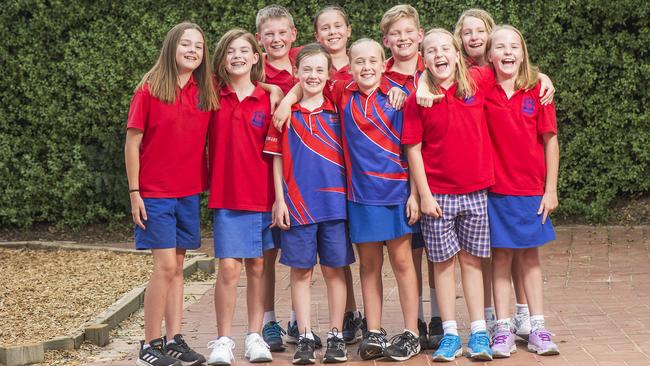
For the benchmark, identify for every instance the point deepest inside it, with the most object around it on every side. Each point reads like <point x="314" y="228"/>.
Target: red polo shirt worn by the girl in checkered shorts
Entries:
<point x="455" y="141"/>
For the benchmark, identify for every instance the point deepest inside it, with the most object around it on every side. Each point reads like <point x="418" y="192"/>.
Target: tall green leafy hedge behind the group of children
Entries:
<point x="68" y="69"/>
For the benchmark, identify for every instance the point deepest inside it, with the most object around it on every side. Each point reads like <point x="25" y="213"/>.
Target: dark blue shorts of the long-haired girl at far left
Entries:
<point x="171" y="223"/>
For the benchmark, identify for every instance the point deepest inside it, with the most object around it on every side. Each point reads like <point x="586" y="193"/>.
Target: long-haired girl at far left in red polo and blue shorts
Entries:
<point x="167" y="170"/>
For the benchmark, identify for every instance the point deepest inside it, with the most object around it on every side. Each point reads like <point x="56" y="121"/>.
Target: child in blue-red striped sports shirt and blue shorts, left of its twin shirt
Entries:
<point x="309" y="173"/>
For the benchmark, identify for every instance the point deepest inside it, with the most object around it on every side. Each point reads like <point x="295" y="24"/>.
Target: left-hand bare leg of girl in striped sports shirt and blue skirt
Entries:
<point x="371" y="260"/>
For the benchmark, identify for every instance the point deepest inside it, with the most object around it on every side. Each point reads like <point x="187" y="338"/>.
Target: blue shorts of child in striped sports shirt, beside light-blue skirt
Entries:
<point x="329" y="239"/>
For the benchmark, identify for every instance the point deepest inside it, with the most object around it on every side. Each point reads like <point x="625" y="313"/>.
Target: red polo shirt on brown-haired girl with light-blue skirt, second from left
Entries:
<point x="241" y="176"/>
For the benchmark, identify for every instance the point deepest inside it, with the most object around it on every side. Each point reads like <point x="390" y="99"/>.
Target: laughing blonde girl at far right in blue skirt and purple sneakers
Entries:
<point x="526" y="158"/>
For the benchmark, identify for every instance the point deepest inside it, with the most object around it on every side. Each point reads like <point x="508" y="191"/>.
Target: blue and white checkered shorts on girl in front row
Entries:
<point x="463" y="225"/>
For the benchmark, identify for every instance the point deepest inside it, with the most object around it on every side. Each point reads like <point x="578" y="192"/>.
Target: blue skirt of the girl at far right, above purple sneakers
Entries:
<point x="514" y="222"/>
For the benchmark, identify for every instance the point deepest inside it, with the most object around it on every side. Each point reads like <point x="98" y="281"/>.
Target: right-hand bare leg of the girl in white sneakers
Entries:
<point x="254" y="293"/>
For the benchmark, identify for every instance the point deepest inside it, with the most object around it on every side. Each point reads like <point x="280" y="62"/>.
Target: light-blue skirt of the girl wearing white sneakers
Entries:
<point x="243" y="234"/>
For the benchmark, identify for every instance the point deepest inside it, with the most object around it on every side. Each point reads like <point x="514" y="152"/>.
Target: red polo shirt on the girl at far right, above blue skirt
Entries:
<point x="516" y="127"/>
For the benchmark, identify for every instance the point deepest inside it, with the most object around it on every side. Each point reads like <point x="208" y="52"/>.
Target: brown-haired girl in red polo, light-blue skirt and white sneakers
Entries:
<point x="241" y="190"/>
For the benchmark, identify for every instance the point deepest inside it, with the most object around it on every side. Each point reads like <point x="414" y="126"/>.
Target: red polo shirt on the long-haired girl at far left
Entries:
<point x="172" y="153"/>
